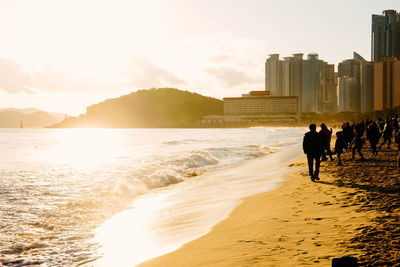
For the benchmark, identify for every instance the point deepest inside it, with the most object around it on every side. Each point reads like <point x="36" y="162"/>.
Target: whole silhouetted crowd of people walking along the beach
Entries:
<point x="351" y="137"/>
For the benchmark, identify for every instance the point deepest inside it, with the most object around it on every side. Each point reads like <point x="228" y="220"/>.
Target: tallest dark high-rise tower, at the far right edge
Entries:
<point x="385" y="35"/>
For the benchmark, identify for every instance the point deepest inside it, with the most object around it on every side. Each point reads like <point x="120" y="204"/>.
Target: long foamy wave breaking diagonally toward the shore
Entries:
<point x="161" y="173"/>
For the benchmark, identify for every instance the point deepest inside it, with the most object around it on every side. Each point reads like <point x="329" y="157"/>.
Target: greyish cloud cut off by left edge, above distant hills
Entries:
<point x="13" y="78"/>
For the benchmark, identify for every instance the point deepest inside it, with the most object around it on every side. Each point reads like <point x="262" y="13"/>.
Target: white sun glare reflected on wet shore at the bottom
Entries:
<point x="121" y="247"/>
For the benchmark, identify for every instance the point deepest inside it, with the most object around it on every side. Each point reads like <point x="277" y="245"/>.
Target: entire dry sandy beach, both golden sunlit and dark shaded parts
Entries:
<point x="353" y="210"/>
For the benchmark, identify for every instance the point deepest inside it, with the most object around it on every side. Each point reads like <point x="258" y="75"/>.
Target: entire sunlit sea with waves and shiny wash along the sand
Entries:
<point x="120" y="196"/>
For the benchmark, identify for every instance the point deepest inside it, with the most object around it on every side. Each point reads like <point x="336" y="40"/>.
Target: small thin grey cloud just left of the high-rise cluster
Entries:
<point x="231" y="77"/>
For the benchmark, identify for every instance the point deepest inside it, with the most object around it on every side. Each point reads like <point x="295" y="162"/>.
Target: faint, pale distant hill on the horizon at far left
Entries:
<point x="11" y="118"/>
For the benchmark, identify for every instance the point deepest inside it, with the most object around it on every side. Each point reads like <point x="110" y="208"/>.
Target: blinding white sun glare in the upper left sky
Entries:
<point x="84" y="37"/>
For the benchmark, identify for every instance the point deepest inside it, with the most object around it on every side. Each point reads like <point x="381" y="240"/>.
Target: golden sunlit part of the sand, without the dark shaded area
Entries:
<point x="300" y="223"/>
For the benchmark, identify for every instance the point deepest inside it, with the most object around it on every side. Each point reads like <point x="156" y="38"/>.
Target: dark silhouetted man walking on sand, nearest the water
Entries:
<point x="312" y="146"/>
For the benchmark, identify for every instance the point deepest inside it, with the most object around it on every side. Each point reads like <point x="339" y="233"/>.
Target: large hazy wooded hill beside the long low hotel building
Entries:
<point x="162" y="107"/>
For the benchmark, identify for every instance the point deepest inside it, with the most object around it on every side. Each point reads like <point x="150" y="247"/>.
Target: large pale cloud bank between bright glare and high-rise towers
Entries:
<point x="216" y="64"/>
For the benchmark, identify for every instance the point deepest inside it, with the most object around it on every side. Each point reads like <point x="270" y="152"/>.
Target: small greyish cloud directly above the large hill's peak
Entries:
<point x="144" y="73"/>
